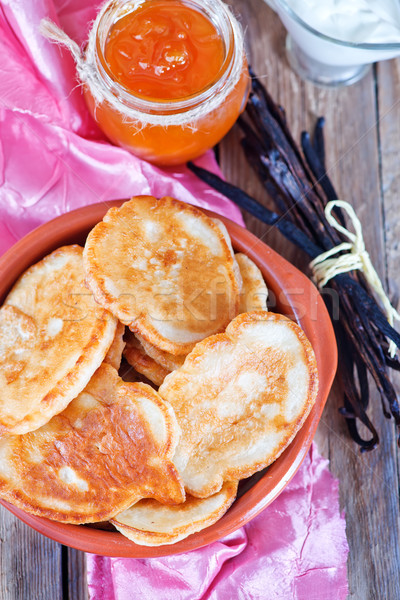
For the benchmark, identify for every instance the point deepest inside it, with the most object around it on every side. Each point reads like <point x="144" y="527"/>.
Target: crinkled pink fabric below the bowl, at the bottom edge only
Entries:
<point x="296" y="549"/>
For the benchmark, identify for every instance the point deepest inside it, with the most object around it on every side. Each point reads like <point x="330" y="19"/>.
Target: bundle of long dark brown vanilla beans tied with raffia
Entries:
<point x="297" y="183"/>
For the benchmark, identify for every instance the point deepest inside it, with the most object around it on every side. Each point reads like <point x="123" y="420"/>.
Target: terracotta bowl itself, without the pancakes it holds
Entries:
<point x="291" y="293"/>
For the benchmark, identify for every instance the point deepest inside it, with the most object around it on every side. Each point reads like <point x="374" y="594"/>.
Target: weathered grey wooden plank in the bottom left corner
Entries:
<point x="30" y="564"/>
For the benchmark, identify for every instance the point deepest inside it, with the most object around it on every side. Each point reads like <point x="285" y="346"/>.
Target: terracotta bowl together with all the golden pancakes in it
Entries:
<point x="163" y="373"/>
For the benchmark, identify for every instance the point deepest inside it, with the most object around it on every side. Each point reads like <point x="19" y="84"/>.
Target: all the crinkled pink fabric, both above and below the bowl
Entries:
<point x="53" y="159"/>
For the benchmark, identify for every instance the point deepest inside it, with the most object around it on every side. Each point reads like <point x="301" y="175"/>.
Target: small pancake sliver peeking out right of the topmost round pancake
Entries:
<point x="254" y="292"/>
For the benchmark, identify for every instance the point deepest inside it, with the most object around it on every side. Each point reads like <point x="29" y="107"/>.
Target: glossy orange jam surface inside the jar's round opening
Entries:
<point x="164" y="51"/>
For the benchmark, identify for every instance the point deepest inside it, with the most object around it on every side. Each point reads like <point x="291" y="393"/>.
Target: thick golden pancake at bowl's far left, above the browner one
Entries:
<point x="53" y="336"/>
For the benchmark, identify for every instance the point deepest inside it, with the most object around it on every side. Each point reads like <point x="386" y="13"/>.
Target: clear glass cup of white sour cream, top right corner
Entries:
<point x="334" y="42"/>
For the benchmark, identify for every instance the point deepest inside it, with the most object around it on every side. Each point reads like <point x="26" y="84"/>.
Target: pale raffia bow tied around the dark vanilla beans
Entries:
<point x="331" y="263"/>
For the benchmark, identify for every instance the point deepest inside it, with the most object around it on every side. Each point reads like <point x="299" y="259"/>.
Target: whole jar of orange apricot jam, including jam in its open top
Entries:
<point x="170" y="76"/>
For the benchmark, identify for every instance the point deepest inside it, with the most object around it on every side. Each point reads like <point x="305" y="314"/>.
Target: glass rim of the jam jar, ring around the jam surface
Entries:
<point x="221" y="17"/>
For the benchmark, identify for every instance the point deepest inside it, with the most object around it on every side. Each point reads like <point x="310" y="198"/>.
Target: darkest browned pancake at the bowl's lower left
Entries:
<point x="111" y="447"/>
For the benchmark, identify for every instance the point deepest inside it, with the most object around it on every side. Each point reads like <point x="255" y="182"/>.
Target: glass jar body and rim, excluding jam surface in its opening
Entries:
<point x="167" y="132"/>
